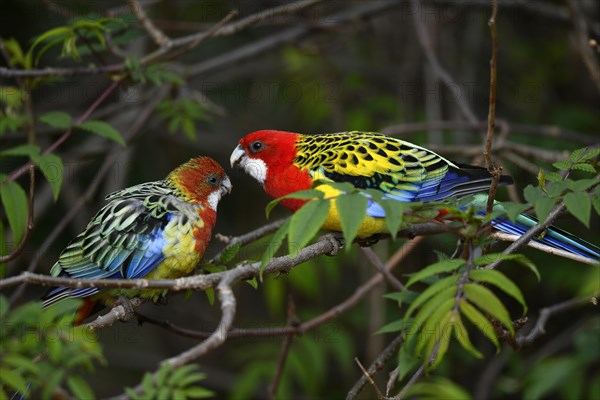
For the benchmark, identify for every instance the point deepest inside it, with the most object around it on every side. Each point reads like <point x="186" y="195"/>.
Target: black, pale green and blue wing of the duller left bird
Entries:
<point x="123" y="241"/>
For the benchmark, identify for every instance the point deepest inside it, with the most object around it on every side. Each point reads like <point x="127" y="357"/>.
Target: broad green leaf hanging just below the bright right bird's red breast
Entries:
<point x="305" y="223"/>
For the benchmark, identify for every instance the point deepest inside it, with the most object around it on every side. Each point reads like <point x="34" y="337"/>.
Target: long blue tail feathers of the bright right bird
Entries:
<point x="553" y="237"/>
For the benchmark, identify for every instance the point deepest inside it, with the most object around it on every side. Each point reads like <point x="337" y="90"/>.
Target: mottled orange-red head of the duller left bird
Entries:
<point x="201" y="180"/>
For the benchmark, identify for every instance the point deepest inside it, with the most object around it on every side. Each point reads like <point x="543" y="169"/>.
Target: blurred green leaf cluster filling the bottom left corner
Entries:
<point x="41" y="351"/>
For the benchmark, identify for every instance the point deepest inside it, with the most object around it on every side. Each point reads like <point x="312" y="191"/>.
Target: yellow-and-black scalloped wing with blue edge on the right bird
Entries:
<point x="401" y="170"/>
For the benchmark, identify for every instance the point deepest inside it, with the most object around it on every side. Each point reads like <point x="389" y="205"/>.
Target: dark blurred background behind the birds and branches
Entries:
<point x="342" y="65"/>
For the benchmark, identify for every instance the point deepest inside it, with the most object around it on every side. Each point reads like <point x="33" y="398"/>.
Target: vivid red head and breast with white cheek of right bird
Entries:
<point x="268" y="156"/>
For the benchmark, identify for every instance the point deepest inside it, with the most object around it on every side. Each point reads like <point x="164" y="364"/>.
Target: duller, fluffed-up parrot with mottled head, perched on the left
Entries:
<point x="155" y="230"/>
